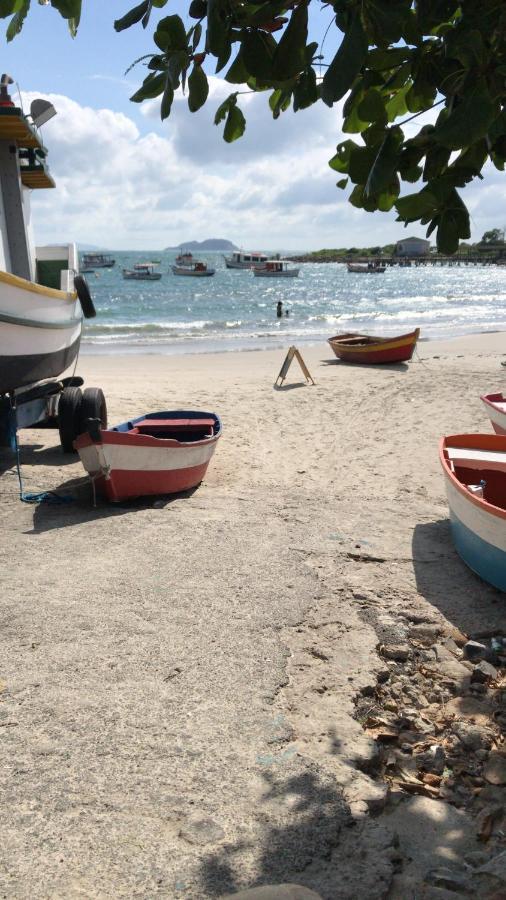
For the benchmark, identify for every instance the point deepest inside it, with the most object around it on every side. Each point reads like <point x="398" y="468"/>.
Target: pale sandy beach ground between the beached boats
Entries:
<point x="178" y="679"/>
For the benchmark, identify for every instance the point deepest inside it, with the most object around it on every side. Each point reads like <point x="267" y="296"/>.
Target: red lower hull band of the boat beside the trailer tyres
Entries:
<point x="124" y="484"/>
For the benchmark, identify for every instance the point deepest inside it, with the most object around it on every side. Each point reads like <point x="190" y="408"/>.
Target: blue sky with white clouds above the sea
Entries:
<point x="126" y="180"/>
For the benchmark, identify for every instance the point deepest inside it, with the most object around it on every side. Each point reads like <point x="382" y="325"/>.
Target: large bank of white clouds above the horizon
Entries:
<point x="120" y="186"/>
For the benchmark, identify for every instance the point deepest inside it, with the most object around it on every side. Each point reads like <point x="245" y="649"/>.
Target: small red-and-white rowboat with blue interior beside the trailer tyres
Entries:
<point x="158" y="453"/>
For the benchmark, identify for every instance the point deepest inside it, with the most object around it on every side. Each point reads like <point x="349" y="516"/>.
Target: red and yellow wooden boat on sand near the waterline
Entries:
<point x="366" y="348"/>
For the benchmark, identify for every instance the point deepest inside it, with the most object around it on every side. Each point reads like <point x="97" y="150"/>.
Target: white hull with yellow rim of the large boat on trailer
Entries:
<point x="40" y="331"/>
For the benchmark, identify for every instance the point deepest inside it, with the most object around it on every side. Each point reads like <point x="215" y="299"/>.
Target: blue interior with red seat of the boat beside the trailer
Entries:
<point x="186" y="426"/>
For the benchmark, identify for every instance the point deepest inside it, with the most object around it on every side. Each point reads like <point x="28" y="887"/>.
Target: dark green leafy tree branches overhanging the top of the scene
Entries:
<point x="397" y="59"/>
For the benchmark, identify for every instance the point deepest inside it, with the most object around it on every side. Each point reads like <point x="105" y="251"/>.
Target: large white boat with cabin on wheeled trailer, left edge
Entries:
<point x="42" y="296"/>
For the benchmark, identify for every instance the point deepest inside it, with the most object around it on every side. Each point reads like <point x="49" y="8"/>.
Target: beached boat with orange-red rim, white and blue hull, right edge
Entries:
<point x="474" y="467"/>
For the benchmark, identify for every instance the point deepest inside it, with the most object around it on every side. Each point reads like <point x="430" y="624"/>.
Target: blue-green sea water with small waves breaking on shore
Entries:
<point x="233" y="310"/>
